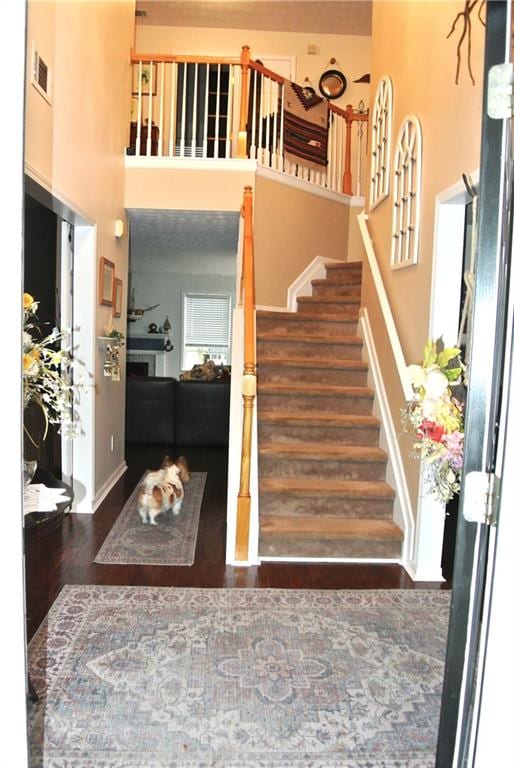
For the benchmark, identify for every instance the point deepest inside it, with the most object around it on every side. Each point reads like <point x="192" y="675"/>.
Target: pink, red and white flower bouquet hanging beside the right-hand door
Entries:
<point x="435" y="417"/>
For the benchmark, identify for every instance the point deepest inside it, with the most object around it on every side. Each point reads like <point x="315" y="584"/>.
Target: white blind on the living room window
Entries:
<point x="207" y="319"/>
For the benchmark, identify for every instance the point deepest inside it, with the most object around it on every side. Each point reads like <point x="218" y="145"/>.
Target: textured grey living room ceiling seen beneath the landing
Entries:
<point x="192" y="242"/>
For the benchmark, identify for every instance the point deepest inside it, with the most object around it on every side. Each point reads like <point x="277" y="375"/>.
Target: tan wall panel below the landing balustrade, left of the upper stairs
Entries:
<point x="291" y="228"/>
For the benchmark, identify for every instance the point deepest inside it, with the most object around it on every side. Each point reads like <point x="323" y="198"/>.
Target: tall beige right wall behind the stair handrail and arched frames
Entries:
<point x="410" y="45"/>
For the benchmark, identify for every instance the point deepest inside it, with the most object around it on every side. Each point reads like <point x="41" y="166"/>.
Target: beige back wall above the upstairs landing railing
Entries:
<point x="351" y="51"/>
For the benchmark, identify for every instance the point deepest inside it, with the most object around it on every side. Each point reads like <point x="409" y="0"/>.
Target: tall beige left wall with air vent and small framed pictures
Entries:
<point x="75" y="148"/>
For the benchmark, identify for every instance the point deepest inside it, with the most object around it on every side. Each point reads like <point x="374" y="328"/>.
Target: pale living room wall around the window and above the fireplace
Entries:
<point x="166" y="289"/>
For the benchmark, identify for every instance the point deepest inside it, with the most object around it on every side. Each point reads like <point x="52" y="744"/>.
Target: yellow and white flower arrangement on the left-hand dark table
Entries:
<point x="48" y="374"/>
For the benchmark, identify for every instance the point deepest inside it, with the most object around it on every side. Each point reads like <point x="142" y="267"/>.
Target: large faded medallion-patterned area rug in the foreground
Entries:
<point x="152" y="677"/>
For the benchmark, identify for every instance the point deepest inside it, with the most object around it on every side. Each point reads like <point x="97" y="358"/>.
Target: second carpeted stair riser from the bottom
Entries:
<point x="286" y="505"/>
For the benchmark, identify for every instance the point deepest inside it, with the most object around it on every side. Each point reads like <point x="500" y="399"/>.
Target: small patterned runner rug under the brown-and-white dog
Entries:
<point x="171" y="542"/>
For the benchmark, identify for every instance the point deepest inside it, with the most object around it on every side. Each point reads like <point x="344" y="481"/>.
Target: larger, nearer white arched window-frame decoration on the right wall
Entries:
<point x="406" y="194"/>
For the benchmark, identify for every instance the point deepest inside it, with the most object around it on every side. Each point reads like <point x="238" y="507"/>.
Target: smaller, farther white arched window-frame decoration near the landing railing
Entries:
<point x="381" y="143"/>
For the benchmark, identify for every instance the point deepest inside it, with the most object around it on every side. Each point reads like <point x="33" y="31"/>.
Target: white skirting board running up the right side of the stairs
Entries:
<point x="403" y="515"/>
